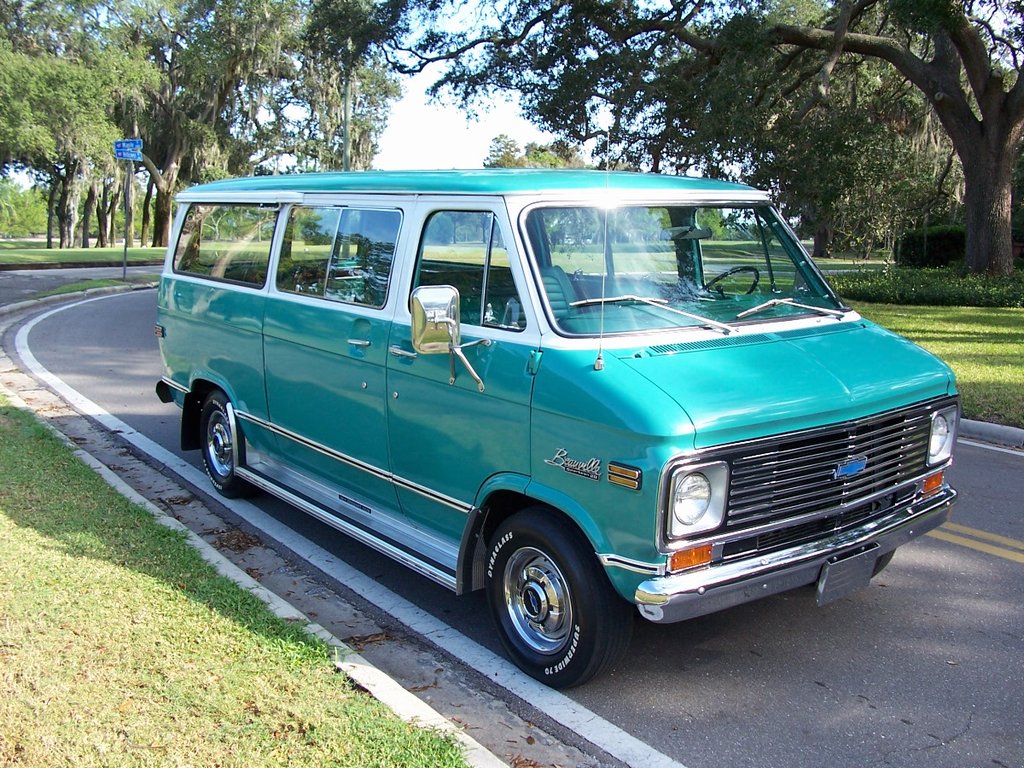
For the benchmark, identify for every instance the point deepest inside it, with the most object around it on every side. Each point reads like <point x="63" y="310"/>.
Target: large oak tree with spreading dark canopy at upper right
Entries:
<point x="820" y="90"/>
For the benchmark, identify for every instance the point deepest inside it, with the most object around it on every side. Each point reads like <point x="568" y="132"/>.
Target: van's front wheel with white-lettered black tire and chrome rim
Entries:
<point x="558" y="616"/>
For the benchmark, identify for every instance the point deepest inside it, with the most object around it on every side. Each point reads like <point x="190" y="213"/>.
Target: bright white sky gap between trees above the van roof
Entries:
<point x="435" y="136"/>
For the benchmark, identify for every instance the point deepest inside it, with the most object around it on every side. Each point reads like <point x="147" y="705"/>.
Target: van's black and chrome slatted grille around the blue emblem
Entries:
<point x="795" y="476"/>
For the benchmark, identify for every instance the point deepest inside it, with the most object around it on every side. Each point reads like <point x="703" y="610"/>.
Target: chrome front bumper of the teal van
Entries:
<point x="696" y="593"/>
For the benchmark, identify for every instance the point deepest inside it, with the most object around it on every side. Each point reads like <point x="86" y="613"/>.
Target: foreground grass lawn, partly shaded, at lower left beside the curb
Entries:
<point x="120" y="647"/>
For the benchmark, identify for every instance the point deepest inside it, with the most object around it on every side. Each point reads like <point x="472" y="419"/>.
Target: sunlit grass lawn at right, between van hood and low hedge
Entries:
<point x="985" y="347"/>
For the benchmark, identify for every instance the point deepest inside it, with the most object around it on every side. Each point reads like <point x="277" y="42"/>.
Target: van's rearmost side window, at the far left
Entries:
<point x="227" y="242"/>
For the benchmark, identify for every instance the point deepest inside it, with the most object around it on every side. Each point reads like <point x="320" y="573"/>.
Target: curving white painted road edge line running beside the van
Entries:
<point x="562" y="709"/>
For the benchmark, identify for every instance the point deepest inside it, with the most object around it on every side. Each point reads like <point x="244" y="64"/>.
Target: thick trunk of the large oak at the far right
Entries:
<point x="988" y="202"/>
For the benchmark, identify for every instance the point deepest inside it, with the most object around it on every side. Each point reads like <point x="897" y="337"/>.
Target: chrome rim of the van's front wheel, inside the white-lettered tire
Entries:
<point x="539" y="602"/>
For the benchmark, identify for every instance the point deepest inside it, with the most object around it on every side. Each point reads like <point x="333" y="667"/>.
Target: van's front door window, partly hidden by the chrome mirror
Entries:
<point x="464" y="249"/>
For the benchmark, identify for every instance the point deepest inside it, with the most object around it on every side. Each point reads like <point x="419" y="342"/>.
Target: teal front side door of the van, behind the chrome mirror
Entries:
<point x="446" y="438"/>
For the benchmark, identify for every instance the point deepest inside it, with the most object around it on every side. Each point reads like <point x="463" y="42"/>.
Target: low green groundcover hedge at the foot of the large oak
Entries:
<point x="935" y="287"/>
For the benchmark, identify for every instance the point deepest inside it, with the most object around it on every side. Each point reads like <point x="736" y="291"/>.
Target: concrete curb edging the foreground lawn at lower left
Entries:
<point x="405" y="705"/>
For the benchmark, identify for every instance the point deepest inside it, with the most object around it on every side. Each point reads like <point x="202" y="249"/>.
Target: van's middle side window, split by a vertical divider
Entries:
<point x="339" y="254"/>
